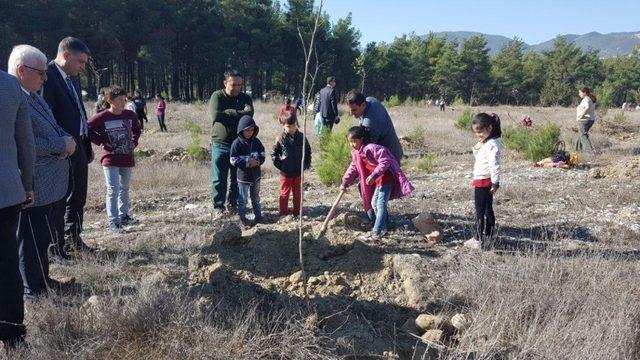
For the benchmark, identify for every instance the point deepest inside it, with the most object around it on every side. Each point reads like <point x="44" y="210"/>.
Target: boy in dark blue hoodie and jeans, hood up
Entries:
<point x="247" y="154"/>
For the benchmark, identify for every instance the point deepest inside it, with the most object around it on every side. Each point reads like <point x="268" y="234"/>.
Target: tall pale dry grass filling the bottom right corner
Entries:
<point x="549" y="306"/>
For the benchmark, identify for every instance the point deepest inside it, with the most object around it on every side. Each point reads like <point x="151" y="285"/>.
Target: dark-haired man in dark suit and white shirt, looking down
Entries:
<point x="63" y="94"/>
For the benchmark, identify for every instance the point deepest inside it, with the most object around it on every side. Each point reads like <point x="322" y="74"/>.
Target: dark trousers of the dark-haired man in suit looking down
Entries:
<point x="77" y="194"/>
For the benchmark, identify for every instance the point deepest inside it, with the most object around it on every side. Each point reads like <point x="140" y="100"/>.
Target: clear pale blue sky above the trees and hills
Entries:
<point x="532" y="21"/>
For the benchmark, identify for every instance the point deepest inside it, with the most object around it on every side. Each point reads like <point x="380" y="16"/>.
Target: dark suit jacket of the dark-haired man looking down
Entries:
<point x="63" y="105"/>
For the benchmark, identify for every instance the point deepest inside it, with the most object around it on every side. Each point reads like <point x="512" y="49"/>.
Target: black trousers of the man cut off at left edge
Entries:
<point x="11" y="301"/>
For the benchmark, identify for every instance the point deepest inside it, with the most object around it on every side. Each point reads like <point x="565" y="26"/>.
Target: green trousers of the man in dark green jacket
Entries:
<point x="221" y="169"/>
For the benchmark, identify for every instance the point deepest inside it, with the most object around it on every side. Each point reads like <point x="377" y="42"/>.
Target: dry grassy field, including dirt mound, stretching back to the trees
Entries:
<point x="559" y="283"/>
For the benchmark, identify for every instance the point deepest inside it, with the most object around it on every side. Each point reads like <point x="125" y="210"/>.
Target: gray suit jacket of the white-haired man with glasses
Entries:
<point x="52" y="174"/>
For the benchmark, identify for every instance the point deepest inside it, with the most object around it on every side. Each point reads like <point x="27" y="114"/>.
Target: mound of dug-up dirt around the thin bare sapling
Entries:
<point x="375" y="289"/>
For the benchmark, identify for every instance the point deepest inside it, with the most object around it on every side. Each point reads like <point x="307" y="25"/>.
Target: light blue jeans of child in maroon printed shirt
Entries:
<point x="117" y="180"/>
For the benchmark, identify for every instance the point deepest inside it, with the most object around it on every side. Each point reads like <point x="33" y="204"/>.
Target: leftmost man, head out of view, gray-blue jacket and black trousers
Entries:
<point x="17" y="159"/>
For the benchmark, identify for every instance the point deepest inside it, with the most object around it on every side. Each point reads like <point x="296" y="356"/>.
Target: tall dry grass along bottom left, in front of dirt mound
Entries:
<point x="158" y="323"/>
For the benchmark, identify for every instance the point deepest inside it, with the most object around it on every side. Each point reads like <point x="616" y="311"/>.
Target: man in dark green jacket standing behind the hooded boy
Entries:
<point x="226" y="107"/>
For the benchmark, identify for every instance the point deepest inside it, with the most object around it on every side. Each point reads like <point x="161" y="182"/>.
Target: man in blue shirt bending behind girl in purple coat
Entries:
<point x="375" y="118"/>
